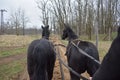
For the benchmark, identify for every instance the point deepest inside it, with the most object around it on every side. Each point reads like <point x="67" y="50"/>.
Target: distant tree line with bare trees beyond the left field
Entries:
<point x="16" y="24"/>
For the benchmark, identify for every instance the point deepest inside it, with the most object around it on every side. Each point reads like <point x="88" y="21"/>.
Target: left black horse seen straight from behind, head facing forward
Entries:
<point x="41" y="57"/>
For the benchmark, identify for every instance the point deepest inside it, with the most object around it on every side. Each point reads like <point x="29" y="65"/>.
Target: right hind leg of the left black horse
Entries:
<point x="50" y="67"/>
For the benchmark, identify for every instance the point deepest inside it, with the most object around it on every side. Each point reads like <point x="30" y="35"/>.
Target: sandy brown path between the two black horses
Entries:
<point x="57" y="74"/>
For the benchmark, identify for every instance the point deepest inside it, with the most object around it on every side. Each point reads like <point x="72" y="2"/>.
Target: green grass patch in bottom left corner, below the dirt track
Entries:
<point x="11" y="69"/>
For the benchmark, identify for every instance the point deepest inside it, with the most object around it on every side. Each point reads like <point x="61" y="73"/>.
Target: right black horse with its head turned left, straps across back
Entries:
<point x="76" y="60"/>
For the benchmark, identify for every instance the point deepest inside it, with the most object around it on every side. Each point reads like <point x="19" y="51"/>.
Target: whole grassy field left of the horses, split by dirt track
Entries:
<point x="18" y="45"/>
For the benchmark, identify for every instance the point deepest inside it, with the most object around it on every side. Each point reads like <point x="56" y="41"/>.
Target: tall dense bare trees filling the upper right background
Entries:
<point x="84" y="16"/>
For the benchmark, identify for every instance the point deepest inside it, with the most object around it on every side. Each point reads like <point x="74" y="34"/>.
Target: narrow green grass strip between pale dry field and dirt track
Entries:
<point x="11" y="52"/>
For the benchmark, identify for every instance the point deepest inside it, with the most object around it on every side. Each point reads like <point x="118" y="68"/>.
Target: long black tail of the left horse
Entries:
<point x="40" y="64"/>
